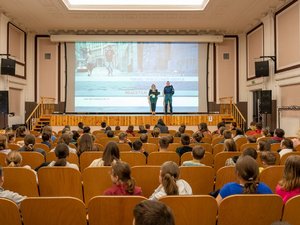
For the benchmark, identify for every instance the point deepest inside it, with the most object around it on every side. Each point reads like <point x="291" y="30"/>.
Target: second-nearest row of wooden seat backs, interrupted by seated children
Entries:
<point x="62" y="181"/>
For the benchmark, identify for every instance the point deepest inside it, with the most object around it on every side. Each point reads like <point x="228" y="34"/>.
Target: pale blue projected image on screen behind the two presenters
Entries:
<point x="116" y="77"/>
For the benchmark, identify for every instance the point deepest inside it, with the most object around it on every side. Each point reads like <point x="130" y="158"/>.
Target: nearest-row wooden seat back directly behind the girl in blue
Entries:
<point x="250" y="209"/>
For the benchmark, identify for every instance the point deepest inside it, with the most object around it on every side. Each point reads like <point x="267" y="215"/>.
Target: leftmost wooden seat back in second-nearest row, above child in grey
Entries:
<point x="21" y="180"/>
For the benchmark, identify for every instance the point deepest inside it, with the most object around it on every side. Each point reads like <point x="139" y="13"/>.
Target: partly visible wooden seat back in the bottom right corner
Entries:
<point x="291" y="211"/>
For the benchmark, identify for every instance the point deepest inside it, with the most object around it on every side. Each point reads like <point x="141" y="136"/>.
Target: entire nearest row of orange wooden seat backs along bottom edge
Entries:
<point x="118" y="210"/>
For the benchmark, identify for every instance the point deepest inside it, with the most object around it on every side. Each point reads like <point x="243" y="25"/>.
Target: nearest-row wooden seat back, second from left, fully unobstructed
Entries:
<point x="50" y="211"/>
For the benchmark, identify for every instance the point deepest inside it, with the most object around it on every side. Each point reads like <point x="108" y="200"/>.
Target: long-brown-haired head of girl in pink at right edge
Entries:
<point x="291" y="174"/>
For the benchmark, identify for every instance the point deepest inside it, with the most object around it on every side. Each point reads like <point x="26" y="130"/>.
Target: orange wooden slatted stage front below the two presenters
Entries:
<point x="135" y="119"/>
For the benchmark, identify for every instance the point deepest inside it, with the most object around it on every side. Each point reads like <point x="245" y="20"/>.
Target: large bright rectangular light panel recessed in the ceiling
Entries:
<point x="135" y="4"/>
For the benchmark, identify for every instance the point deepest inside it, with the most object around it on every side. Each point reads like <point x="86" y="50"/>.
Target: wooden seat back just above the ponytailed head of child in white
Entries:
<point x="158" y="158"/>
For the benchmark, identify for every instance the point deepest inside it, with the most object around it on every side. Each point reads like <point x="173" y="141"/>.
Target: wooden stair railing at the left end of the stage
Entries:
<point x="46" y="106"/>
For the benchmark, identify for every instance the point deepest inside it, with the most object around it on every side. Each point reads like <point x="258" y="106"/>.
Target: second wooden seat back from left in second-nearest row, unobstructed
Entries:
<point x="60" y="181"/>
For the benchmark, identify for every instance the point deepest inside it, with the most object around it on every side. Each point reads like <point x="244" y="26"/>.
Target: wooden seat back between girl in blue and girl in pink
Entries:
<point x="271" y="176"/>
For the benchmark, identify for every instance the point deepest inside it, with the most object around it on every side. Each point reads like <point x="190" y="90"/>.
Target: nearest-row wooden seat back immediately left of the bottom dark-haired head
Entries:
<point x="112" y="210"/>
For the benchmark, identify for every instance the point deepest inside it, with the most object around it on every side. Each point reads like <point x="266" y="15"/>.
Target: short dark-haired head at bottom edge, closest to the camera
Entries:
<point x="150" y="212"/>
